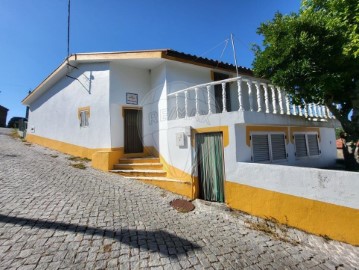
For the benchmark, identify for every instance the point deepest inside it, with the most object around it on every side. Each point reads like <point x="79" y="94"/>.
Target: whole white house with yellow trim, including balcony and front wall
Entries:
<point x="192" y="126"/>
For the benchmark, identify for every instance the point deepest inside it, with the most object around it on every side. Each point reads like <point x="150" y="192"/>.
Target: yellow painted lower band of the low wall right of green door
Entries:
<point x="320" y="218"/>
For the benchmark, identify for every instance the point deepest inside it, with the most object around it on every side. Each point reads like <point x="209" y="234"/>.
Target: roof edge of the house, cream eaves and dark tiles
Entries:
<point x="95" y="57"/>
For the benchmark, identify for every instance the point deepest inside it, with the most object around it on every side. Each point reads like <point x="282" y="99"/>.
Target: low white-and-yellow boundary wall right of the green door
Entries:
<point x="323" y="202"/>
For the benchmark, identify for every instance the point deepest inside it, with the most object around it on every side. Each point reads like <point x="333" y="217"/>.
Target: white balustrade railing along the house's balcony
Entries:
<point x="252" y="94"/>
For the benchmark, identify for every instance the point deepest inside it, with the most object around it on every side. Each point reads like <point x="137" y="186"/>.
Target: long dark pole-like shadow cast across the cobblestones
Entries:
<point x="155" y="241"/>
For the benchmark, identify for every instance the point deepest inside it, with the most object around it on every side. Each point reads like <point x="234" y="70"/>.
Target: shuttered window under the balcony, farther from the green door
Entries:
<point x="306" y="144"/>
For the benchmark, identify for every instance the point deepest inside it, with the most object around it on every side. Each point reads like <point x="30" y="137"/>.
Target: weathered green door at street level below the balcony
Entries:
<point x="209" y="154"/>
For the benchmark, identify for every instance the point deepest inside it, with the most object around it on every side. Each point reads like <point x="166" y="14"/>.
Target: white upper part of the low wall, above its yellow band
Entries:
<point x="336" y="187"/>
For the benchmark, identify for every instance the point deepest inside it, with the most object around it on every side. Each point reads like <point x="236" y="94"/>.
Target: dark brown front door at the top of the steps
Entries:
<point x="133" y="131"/>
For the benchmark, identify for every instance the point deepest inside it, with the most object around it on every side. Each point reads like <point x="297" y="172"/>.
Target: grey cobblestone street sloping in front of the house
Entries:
<point x="55" y="216"/>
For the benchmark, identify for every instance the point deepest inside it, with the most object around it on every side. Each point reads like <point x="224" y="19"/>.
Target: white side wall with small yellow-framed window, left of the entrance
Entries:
<point x="54" y="115"/>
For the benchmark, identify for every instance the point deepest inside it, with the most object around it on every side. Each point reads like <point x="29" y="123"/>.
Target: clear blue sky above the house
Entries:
<point x="33" y="33"/>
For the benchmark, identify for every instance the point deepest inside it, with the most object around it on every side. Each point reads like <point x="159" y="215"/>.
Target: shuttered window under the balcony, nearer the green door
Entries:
<point x="268" y="147"/>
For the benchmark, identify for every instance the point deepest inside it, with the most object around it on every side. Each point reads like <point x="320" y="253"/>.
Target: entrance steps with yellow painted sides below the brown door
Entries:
<point x="150" y="170"/>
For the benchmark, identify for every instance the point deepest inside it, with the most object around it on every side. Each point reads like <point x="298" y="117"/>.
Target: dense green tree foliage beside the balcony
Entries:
<point x="314" y="55"/>
